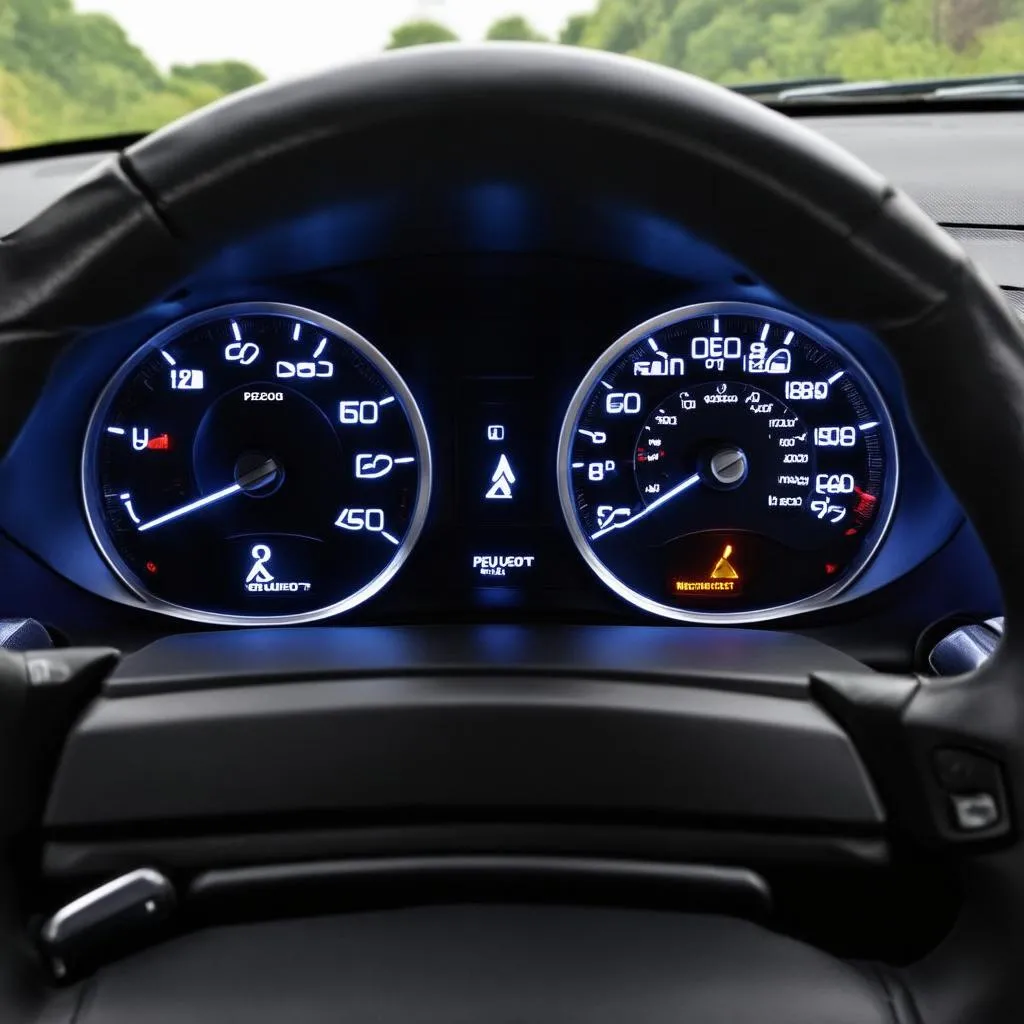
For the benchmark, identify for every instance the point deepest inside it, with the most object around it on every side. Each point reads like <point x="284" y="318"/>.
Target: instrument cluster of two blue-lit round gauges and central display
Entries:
<point x="265" y="463"/>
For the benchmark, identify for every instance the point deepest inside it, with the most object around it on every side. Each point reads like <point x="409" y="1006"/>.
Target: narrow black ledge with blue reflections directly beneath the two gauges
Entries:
<point x="761" y="662"/>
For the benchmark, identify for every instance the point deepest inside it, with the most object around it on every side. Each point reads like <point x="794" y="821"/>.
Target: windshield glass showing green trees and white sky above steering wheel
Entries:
<point x="80" y="69"/>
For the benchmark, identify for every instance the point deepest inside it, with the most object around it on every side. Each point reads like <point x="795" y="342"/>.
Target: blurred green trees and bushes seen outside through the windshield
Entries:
<point x="69" y="73"/>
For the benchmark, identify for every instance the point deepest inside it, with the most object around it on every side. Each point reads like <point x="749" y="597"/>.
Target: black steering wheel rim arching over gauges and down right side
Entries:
<point x="829" y="234"/>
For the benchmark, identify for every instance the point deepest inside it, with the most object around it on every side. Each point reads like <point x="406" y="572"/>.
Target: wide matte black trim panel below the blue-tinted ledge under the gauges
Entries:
<point x="412" y="746"/>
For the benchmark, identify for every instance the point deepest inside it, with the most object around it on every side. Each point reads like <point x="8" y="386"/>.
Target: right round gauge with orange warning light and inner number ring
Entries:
<point x="728" y="463"/>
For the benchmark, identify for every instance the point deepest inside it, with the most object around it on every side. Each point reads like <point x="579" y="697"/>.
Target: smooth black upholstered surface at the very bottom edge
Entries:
<point x="489" y="965"/>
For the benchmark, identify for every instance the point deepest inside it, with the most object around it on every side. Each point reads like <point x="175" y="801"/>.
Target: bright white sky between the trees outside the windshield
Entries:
<point x="288" y="37"/>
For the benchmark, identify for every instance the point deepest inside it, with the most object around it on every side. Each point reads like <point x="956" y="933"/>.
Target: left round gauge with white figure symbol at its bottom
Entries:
<point x="257" y="463"/>
